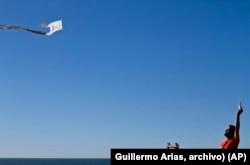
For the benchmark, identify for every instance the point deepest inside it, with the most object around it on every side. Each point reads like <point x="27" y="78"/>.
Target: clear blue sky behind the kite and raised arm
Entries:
<point x="122" y="74"/>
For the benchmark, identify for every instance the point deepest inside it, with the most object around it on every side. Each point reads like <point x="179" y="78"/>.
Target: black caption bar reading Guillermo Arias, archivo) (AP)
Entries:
<point x="180" y="156"/>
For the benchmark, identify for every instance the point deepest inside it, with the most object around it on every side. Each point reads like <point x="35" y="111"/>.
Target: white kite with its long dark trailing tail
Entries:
<point x="53" y="26"/>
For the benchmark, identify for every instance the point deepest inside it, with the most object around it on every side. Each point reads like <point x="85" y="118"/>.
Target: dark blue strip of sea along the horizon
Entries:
<point x="52" y="161"/>
